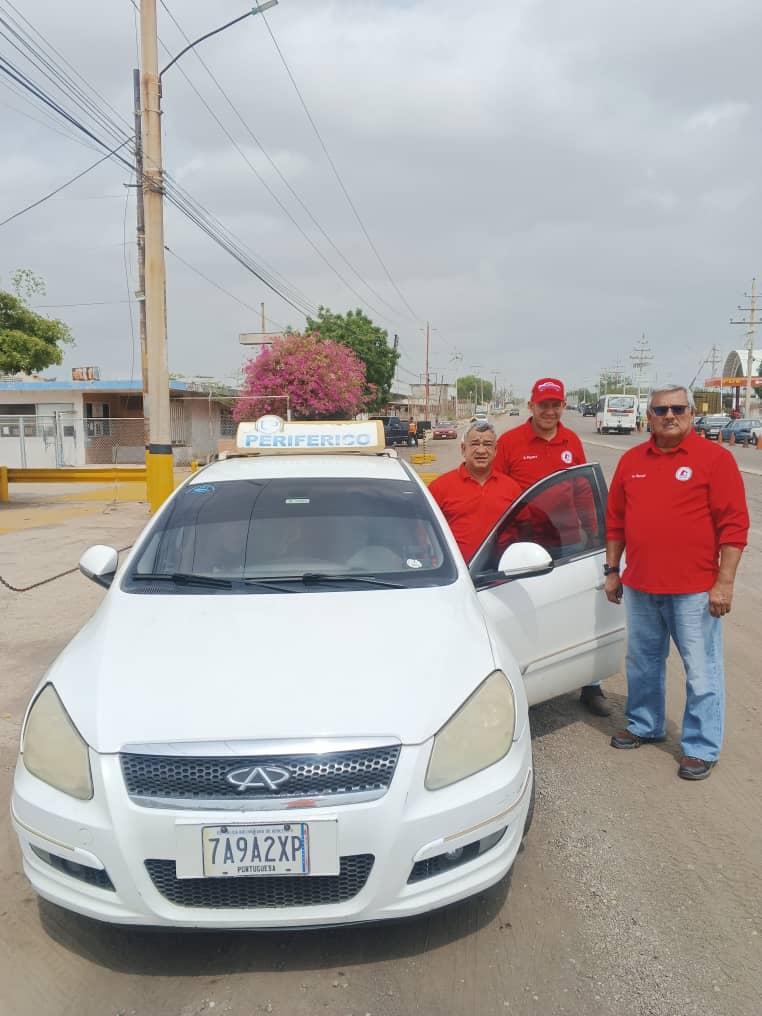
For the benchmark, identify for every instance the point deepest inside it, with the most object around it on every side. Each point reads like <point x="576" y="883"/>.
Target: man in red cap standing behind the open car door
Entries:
<point x="536" y="450"/>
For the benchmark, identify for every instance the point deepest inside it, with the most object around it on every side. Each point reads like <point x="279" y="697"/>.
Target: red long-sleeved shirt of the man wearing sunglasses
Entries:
<point x="674" y="509"/>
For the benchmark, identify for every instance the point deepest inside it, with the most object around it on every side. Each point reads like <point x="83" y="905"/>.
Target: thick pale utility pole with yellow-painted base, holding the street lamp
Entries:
<point x="159" y="462"/>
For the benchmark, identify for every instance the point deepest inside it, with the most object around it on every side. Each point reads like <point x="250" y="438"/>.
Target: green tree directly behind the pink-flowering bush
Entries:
<point x="371" y="345"/>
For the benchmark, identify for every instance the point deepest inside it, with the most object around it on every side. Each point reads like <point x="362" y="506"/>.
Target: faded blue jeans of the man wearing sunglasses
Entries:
<point x="652" y="620"/>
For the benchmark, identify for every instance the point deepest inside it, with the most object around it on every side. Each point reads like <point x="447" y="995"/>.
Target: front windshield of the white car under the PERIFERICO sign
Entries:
<point x="271" y="535"/>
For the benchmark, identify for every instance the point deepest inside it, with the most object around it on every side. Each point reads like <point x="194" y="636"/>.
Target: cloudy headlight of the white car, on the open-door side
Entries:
<point x="479" y="735"/>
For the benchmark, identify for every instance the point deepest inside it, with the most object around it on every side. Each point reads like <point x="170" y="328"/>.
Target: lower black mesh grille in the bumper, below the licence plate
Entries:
<point x="250" y="893"/>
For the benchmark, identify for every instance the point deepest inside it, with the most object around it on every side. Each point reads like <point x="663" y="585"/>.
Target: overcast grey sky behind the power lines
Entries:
<point x="545" y="181"/>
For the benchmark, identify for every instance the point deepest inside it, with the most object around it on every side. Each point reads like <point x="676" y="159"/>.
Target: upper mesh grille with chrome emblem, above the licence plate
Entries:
<point x="189" y="780"/>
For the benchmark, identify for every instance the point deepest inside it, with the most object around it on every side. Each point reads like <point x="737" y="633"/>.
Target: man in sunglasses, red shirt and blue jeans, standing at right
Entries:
<point x="677" y="505"/>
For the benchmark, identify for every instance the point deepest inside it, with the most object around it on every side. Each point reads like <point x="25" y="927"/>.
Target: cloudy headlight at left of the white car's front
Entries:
<point x="53" y="749"/>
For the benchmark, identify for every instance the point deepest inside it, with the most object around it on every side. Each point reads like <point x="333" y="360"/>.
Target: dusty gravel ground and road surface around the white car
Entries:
<point x="638" y="894"/>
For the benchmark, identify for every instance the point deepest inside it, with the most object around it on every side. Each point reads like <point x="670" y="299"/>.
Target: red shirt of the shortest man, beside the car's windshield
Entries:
<point x="473" y="509"/>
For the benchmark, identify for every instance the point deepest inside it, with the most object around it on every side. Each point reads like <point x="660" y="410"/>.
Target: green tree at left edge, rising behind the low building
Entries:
<point x="29" y="342"/>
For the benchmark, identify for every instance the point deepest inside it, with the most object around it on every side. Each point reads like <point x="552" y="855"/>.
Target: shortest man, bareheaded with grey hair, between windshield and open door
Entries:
<point x="474" y="497"/>
